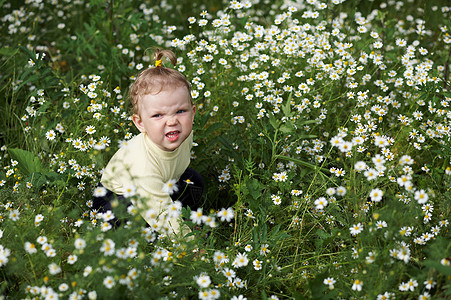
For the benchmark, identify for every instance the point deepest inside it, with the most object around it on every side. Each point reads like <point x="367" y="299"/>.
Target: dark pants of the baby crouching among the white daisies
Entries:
<point x="189" y="194"/>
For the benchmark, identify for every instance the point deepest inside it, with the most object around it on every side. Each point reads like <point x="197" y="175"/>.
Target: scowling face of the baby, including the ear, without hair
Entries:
<point x="166" y="117"/>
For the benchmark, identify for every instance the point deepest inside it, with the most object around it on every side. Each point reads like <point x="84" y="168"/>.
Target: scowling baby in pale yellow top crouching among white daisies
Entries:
<point x="155" y="162"/>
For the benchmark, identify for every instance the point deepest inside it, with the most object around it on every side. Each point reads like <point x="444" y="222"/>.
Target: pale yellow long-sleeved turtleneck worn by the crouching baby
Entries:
<point x="144" y="165"/>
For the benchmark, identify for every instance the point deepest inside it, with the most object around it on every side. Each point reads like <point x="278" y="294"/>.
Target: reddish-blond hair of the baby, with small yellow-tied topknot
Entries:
<point x="155" y="79"/>
